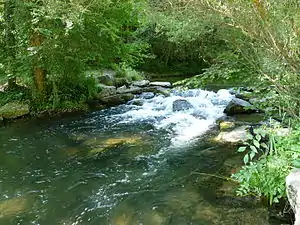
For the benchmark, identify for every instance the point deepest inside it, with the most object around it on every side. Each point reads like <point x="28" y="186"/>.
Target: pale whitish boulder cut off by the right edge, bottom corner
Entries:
<point x="293" y="193"/>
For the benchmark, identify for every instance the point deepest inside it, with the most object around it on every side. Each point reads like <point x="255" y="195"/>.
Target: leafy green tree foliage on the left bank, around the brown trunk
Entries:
<point x="67" y="38"/>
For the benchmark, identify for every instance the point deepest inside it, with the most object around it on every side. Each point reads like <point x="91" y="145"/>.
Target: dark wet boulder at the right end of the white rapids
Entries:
<point x="239" y="106"/>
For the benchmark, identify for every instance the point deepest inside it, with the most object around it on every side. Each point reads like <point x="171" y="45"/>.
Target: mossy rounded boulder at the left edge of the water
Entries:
<point x="13" y="110"/>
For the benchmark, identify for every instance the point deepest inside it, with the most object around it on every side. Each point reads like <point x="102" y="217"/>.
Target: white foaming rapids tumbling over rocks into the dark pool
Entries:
<point x="185" y="114"/>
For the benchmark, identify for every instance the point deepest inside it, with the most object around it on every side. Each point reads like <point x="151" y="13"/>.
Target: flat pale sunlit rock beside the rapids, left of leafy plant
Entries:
<point x="237" y="135"/>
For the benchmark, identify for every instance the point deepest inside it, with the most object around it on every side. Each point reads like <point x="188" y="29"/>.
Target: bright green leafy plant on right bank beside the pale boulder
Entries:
<point x="275" y="156"/>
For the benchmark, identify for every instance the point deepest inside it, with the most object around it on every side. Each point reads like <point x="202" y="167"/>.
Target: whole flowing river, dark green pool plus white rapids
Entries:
<point x="128" y="165"/>
